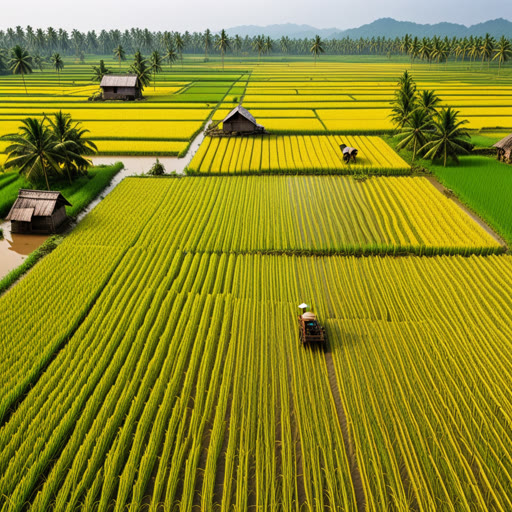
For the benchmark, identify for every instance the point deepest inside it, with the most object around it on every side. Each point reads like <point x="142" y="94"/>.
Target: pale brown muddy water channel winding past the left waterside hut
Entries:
<point x="14" y="249"/>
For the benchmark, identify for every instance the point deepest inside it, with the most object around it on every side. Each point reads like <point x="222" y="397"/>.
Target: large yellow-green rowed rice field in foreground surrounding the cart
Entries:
<point x="148" y="319"/>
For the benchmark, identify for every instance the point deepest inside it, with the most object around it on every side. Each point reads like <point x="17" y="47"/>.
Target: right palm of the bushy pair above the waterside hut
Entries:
<point x="71" y="143"/>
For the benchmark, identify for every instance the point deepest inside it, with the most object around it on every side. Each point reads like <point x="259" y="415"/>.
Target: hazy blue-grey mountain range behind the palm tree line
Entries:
<point x="388" y="27"/>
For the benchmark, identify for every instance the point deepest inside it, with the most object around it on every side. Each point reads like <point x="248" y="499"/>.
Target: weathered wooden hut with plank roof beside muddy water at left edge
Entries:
<point x="38" y="211"/>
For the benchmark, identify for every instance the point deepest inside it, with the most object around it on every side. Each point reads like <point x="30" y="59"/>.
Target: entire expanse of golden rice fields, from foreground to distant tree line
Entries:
<point x="152" y="360"/>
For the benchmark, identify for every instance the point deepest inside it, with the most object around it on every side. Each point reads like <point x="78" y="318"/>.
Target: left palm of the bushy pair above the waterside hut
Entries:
<point x="34" y="152"/>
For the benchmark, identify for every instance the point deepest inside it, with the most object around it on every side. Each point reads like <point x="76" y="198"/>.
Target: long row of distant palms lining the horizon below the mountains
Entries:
<point x="434" y="49"/>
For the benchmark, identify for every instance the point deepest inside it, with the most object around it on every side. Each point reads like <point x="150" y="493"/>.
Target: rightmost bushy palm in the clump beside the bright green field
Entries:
<point x="448" y="139"/>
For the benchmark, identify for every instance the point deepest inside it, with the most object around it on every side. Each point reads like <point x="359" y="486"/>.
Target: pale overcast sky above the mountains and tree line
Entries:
<point x="197" y="15"/>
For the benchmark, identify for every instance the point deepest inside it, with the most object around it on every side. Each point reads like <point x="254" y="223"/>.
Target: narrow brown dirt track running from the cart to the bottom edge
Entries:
<point x="349" y="447"/>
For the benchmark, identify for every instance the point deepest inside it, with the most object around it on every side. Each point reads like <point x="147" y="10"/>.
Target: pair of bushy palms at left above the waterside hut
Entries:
<point x="52" y="147"/>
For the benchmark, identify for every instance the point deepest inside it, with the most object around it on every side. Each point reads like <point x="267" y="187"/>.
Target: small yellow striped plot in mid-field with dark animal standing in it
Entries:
<point x="295" y="154"/>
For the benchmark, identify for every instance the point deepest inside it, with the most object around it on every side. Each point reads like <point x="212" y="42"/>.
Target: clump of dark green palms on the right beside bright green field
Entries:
<point x="423" y="128"/>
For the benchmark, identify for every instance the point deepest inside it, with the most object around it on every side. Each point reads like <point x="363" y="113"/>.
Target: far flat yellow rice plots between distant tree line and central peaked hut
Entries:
<point x="292" y="98"/>
